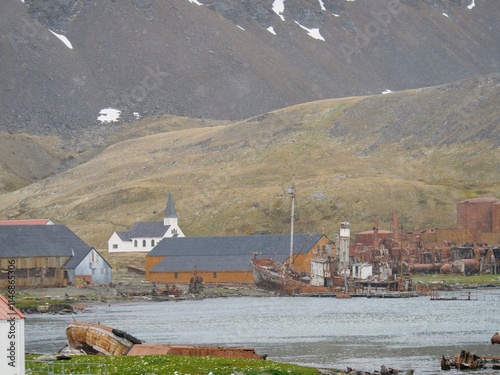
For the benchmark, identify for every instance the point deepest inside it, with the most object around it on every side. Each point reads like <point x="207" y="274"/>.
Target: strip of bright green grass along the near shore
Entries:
<point x="169" y="364"/>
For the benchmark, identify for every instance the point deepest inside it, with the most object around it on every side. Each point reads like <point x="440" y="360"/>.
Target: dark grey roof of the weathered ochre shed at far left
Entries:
<point x="23" y="241"/>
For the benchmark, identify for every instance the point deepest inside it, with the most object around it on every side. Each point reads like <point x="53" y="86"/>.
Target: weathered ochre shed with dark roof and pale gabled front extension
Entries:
<point x="48" y="255"/>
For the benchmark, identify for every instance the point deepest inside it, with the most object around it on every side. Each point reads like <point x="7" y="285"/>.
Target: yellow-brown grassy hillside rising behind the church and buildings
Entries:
<point x="416" y="152"/>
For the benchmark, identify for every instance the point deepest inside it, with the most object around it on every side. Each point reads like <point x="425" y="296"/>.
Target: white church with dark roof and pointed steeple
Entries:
<point x="142" y="237"/>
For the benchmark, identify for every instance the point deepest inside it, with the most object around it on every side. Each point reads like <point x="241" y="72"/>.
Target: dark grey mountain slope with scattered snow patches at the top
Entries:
<point x="78" y="67"/>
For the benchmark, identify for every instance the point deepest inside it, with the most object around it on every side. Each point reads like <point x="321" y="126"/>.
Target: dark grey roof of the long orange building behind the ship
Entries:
<point x="231" y="253"/>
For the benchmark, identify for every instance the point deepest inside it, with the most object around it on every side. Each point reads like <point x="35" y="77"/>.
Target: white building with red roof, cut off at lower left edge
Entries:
<point x="11" y="338"/>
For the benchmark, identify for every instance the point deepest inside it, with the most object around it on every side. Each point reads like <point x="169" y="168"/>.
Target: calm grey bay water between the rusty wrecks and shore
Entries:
<point x="363" y="333"/>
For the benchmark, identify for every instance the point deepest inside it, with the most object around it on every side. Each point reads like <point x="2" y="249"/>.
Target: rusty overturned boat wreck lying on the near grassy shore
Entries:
<point x="97" y="339"/>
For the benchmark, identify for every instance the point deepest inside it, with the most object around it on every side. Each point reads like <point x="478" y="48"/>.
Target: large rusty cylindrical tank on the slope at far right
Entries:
<point x="480" y="214"/>
